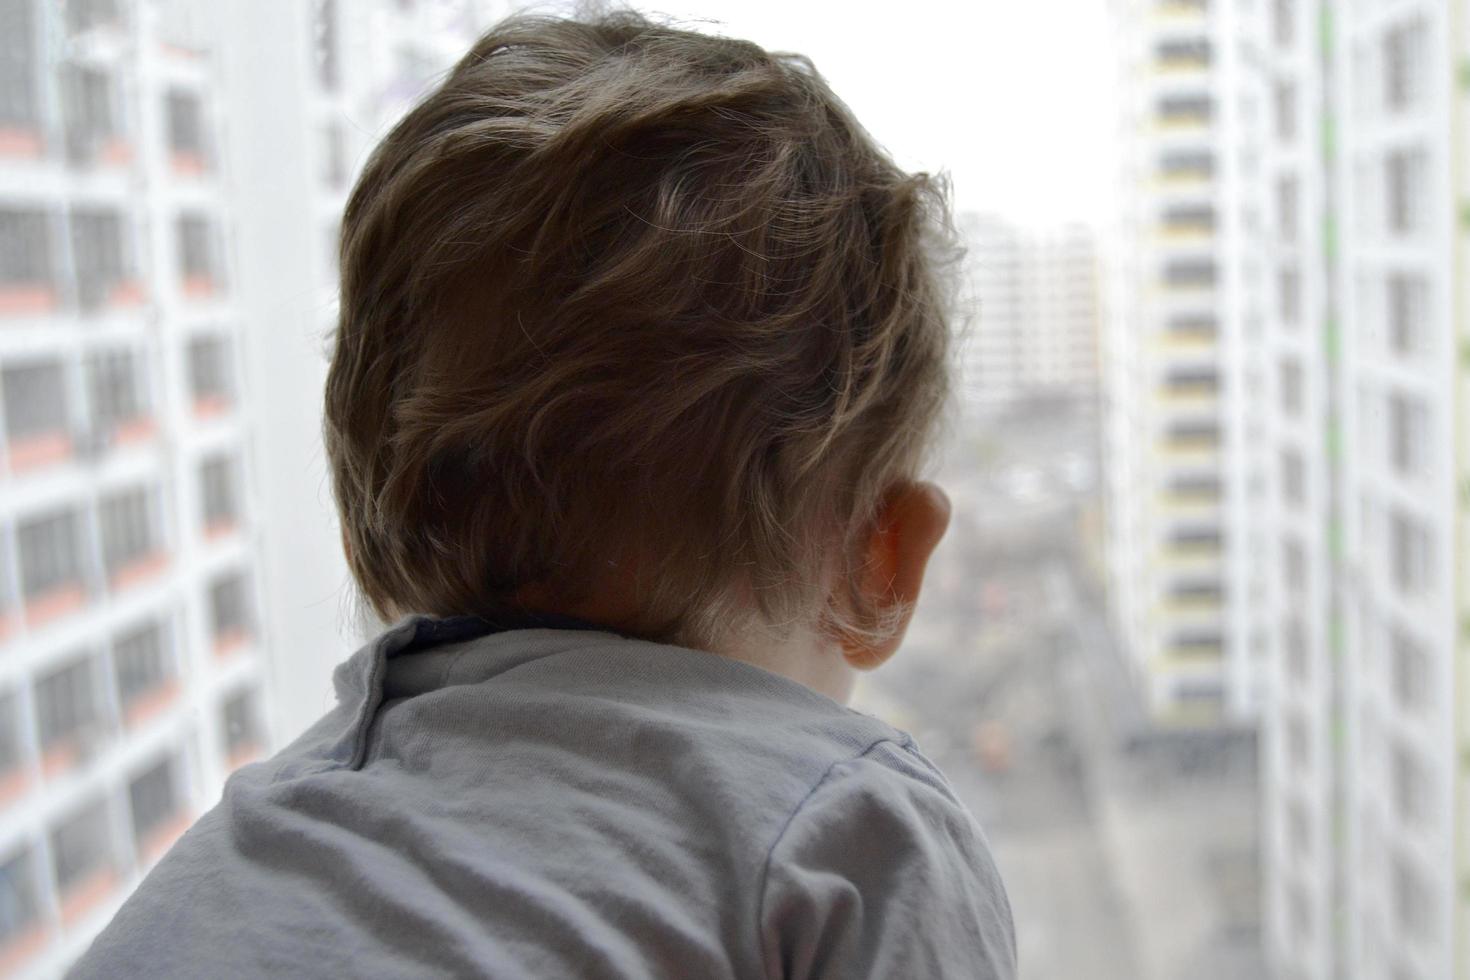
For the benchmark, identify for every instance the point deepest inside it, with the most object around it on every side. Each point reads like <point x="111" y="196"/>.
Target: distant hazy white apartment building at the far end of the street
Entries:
<point x="1034" y="334"/>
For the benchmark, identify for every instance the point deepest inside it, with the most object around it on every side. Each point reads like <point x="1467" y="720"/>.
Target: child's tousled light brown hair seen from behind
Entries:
<point x="621" y="299"/>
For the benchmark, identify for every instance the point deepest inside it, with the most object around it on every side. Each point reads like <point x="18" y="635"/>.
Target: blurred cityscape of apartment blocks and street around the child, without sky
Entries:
<point x="1196" y="650"/>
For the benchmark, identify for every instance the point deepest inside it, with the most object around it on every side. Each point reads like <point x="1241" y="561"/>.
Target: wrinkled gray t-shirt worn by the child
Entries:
<point x="571" y="803"/>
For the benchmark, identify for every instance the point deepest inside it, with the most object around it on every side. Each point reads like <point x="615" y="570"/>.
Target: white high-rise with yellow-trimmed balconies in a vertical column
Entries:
<point x="1183" y="383"/>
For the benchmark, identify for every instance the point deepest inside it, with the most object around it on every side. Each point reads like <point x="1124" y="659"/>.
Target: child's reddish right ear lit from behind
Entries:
<point x="906" y="531"/>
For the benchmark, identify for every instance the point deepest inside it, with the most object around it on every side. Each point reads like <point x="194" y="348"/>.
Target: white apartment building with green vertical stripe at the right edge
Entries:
<point x="1366" y="750"/>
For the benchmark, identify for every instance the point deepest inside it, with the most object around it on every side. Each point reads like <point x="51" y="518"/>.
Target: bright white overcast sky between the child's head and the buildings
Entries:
<point x="1012" y="98"/>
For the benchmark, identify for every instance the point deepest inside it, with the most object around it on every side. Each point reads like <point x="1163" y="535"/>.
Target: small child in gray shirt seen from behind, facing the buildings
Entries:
<point x="643" y="345"/>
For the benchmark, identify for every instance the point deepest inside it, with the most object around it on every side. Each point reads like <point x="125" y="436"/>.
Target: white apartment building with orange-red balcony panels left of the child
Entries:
<point x="171" y="577"/>
